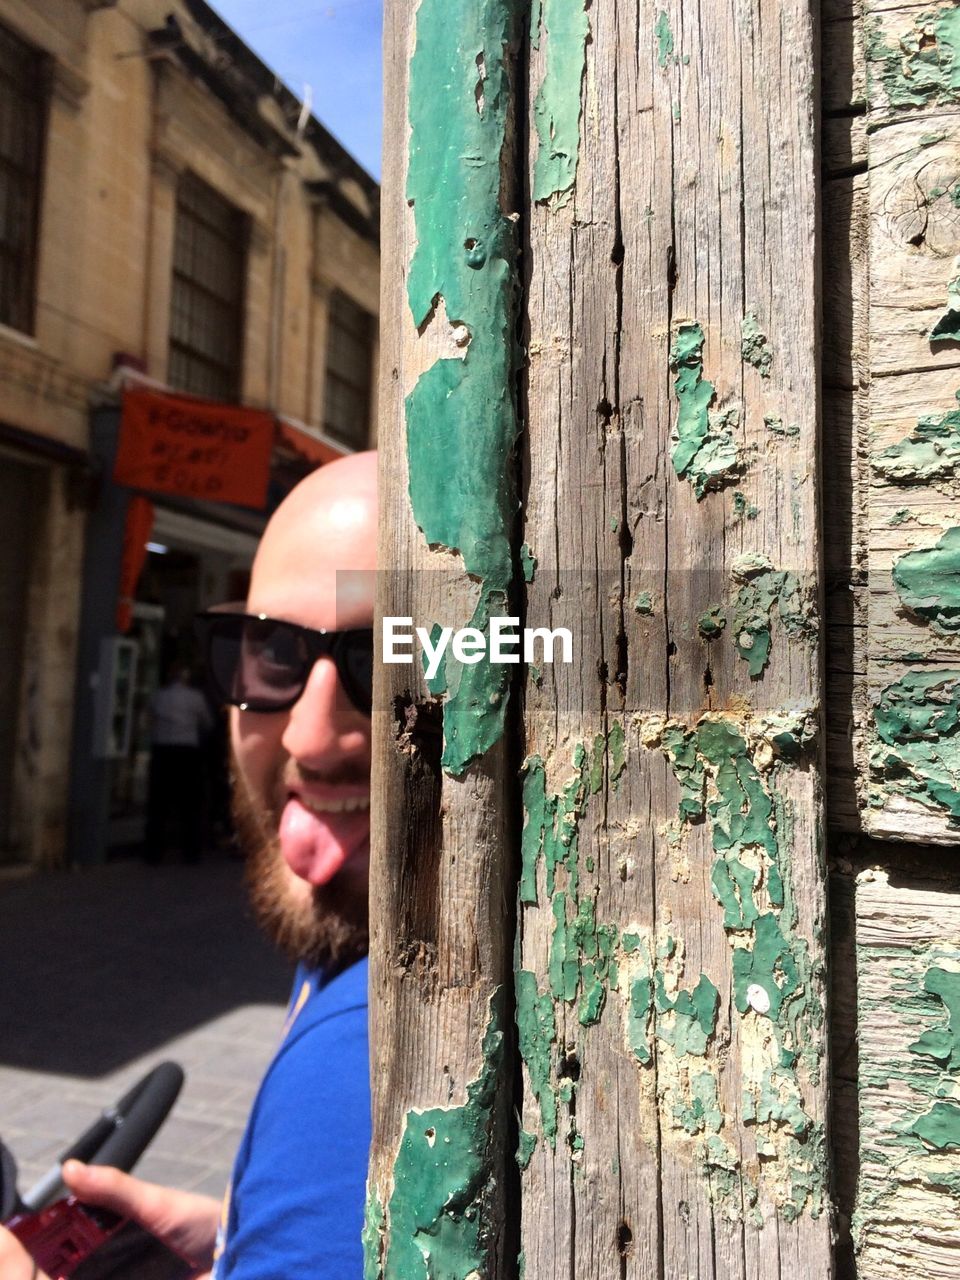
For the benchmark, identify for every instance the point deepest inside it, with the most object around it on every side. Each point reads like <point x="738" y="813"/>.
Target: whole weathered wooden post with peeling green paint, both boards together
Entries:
<point x="670" y="1062"/>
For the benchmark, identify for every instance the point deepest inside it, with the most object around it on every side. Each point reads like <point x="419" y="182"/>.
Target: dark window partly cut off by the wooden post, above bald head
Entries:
<point x="350" y="345"/>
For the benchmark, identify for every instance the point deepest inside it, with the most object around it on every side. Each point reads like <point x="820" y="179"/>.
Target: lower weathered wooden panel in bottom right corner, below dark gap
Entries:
<point x="908" y="944"/>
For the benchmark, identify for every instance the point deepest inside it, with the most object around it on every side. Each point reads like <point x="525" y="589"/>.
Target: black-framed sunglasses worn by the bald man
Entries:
<point x="263" y="665"/>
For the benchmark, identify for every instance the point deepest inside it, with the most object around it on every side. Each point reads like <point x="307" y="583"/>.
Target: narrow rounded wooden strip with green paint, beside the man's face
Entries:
<point x="442" y="852"/>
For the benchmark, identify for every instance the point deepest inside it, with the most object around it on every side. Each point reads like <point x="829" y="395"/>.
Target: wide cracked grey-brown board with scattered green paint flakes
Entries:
<point x="694" y="204"/>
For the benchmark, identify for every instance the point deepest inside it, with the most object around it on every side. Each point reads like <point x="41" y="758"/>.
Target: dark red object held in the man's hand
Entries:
<point x="71" y="1241"/>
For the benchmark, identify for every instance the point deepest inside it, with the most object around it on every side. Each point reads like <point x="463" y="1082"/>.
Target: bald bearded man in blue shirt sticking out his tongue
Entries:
<point x="296" y="666"/>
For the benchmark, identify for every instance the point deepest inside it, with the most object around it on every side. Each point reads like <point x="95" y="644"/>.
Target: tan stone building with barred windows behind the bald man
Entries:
<point x="172" y="218"/>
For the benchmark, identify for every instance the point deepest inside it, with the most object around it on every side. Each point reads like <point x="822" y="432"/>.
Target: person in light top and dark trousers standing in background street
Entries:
<point x="180" y="721"/>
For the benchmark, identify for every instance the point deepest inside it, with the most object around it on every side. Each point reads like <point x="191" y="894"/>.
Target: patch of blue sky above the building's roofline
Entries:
<point x="332" y="47"/>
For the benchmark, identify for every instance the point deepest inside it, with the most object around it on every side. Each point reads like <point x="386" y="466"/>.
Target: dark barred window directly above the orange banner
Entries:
<point x="207" y="303"/>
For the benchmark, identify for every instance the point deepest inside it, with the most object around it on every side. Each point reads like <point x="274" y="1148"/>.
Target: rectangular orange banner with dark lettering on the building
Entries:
<point x="196" y="449"/>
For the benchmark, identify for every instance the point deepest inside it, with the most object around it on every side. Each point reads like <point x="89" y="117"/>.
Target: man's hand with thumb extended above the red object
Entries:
<point x="185" y="1223"/>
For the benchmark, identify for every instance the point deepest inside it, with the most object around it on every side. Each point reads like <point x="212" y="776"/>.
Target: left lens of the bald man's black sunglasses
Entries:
<point x="258" y="664"/>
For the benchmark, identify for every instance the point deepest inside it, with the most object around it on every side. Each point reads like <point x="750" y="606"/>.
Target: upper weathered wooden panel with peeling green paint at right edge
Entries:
<point x="909" y="778"/>
